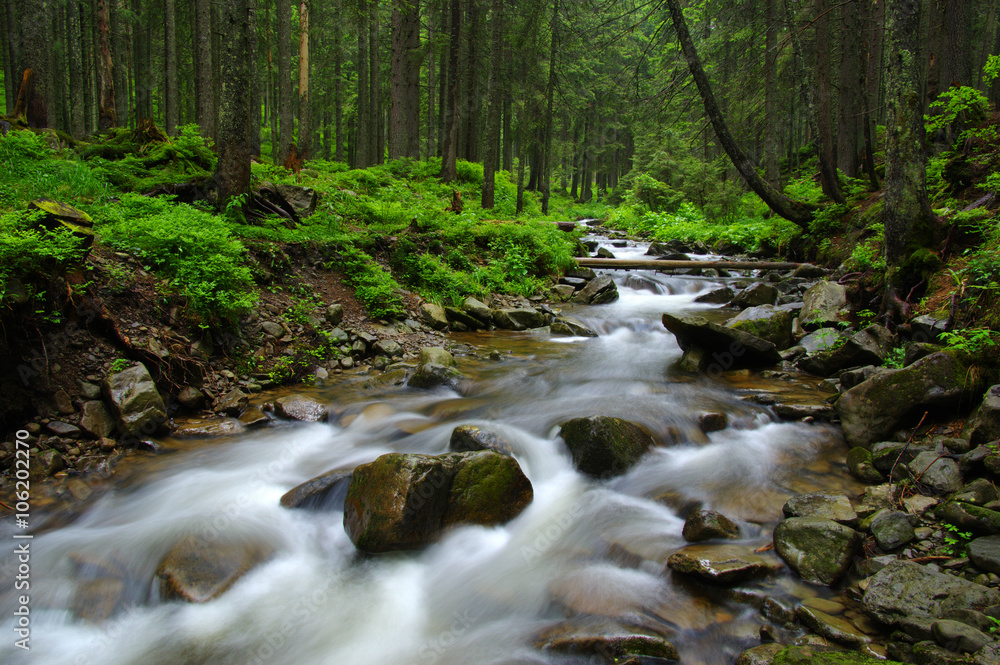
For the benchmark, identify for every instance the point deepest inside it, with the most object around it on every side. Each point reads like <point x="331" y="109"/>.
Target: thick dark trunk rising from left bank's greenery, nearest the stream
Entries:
<point x="232" y="173"/>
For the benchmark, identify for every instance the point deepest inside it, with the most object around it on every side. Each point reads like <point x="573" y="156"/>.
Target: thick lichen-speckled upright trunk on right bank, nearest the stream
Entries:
<point x="906" y="201"/>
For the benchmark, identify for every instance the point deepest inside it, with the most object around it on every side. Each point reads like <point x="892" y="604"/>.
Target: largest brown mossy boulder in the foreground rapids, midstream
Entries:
<point x="405" y="501"/>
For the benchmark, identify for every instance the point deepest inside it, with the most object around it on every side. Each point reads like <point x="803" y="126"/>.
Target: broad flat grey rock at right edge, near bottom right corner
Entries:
<point x="904" y="589"/>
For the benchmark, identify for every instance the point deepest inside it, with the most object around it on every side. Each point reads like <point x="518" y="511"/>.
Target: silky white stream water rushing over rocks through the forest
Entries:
<point x="583" y="548"/>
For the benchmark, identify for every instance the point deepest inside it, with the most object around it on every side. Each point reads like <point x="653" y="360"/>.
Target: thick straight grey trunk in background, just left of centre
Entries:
<point x="404" y="109"/>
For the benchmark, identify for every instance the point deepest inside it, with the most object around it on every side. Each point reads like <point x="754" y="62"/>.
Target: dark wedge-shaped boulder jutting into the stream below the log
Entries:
<point x="721" y="348"/>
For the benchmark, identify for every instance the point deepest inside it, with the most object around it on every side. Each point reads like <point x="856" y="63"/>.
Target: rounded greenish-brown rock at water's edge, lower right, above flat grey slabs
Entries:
<point x="819" y="550"/>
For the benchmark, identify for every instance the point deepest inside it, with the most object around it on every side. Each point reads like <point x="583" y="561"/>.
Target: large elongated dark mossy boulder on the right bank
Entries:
<point x="875" y="408"/>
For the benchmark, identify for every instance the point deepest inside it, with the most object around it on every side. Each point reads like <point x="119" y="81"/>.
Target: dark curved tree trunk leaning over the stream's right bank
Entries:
<point x="794" y="211"/>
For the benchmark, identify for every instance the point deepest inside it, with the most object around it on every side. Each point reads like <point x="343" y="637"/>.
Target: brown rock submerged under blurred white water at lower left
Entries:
<point x="197" y="570"/>
